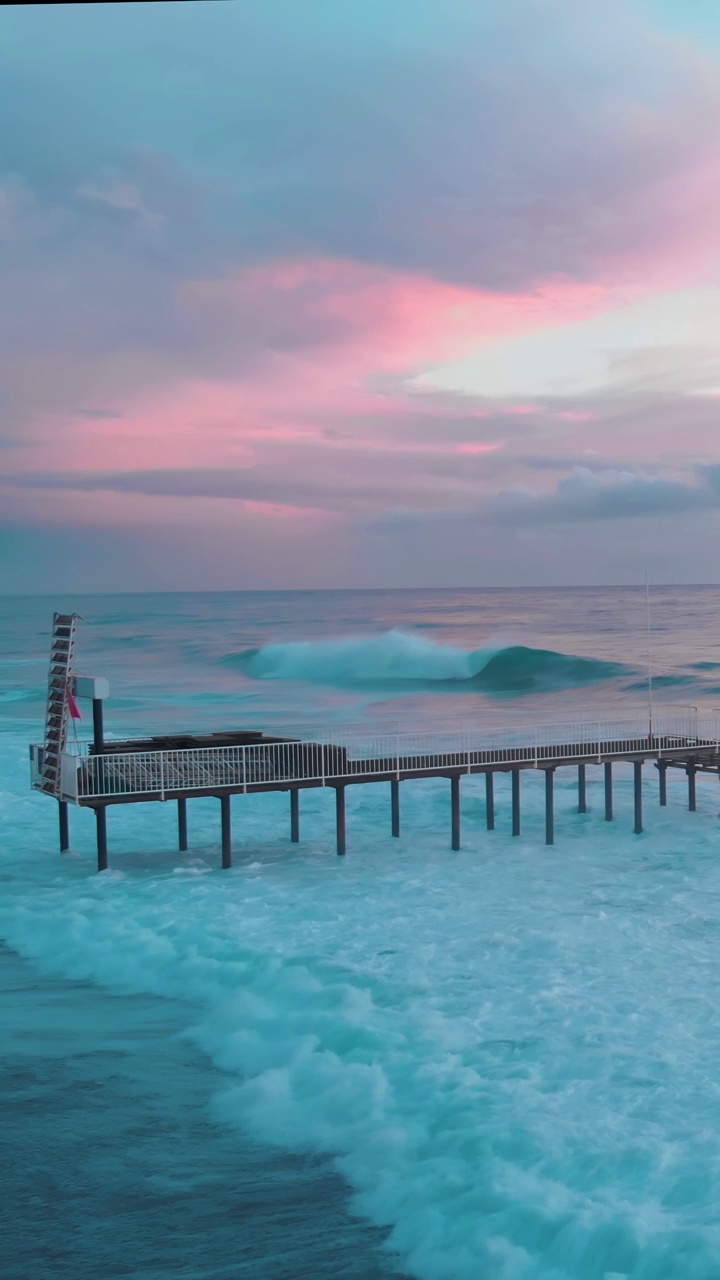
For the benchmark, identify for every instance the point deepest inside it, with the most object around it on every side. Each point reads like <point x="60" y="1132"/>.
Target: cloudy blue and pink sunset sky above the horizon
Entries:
<point x="361" y="294"/>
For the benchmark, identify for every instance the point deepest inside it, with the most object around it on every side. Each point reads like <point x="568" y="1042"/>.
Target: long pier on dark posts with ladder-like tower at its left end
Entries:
<point x="179" y="769"/>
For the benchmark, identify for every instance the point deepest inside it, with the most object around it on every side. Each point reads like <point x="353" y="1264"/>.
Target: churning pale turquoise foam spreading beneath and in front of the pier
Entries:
<point x="511" y="1053"/>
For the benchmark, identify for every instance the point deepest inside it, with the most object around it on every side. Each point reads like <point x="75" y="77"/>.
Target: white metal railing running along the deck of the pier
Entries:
<point x="362" y="755"/>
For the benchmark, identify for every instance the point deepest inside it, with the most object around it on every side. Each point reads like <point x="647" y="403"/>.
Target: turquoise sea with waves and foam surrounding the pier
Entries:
<point x="499" y="1064"/>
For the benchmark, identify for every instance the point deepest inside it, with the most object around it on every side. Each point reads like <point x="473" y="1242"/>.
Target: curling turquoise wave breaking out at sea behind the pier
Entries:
<point x="399" y="660"/>
